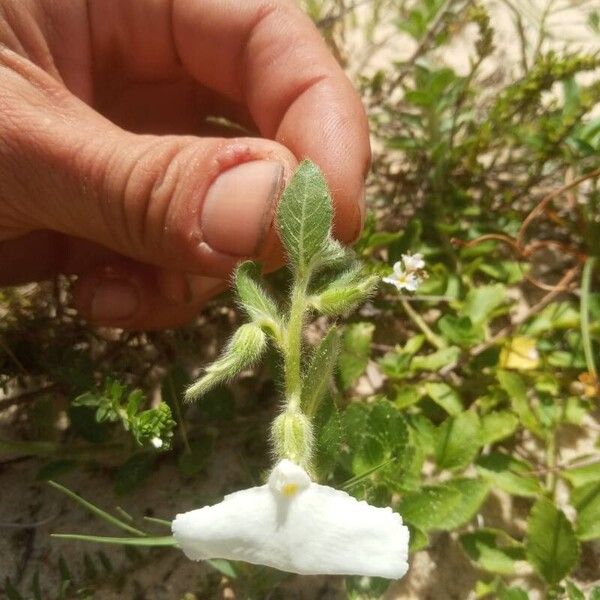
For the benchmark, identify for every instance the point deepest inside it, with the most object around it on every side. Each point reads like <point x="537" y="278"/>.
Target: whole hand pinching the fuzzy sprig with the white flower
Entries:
<point x="110" y="171"/>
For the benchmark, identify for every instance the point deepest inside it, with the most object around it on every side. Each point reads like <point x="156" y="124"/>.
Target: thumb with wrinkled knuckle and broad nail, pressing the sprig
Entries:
<point x="182" y="203"/>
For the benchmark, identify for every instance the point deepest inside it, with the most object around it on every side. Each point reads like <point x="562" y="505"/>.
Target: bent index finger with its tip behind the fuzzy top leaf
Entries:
<point x="269" y="56"/>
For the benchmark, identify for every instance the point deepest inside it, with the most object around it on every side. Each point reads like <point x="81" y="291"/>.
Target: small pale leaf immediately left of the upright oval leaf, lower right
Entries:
<point x="493" y="550"/>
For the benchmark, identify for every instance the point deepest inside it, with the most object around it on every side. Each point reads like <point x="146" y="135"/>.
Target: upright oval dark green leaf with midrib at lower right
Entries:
<point x="551" y="545"/>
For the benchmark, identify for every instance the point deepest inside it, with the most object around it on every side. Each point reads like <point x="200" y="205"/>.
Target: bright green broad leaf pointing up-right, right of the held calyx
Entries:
<point x="457" y="441"/>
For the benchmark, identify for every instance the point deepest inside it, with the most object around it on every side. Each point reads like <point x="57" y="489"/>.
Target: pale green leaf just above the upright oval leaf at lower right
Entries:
<point x="509" y="474"/>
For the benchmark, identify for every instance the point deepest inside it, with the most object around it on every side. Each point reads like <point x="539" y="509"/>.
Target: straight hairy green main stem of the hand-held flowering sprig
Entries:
<point x="293" y="346"/>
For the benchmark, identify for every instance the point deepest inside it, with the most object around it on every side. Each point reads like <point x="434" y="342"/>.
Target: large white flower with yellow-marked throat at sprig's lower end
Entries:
<point x="296" y="525"/>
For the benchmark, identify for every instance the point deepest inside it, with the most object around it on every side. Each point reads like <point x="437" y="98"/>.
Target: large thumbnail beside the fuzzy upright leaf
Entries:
<point x="238" y="208"/>
